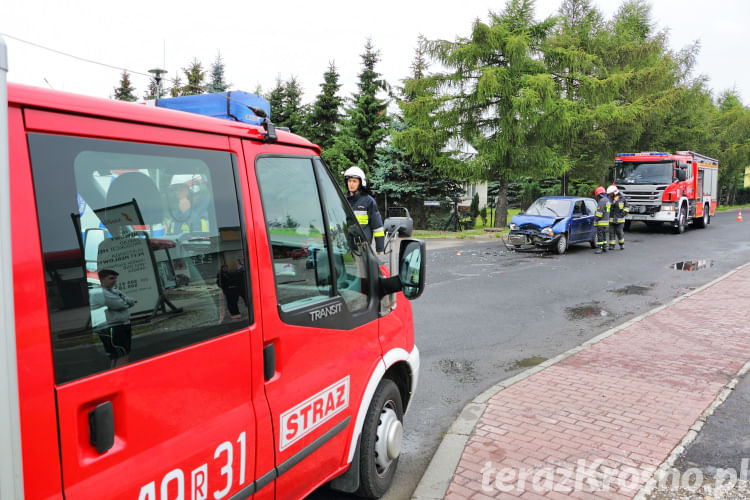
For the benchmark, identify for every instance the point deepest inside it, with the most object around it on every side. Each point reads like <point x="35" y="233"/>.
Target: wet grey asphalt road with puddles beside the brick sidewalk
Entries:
<point x="487" y="313"/>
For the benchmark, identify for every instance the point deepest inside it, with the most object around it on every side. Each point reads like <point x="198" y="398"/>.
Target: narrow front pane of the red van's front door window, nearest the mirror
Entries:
<point x="349" y="245"/>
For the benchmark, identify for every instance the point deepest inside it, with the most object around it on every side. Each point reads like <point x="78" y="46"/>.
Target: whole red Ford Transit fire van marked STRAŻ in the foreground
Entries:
<point x="262" y="350"/>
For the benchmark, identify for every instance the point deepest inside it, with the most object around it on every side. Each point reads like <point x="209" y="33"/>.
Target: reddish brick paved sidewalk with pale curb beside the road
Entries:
<point x="598" y="423"/>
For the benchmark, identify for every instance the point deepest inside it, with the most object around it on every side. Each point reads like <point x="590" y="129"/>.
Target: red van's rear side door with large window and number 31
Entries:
<point x="156" y="383"/>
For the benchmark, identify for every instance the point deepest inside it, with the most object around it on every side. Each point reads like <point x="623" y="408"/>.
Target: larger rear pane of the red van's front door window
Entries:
<point x="296" y="230"/>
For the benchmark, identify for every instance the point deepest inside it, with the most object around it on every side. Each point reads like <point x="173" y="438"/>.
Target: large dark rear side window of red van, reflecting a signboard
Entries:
<point x="143" y="249"/>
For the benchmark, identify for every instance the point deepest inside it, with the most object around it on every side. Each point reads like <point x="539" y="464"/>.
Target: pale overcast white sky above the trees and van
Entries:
<point x="262" y="41"/>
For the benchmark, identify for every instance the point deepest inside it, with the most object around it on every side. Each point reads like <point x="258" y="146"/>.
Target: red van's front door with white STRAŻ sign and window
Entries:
<point x="319" y="316"/>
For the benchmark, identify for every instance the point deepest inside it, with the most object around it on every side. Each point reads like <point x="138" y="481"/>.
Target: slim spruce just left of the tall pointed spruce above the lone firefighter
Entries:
<point x="323" y="121"/>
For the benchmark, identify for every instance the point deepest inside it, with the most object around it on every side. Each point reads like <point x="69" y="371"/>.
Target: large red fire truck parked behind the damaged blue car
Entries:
<point x="679" y="188"/>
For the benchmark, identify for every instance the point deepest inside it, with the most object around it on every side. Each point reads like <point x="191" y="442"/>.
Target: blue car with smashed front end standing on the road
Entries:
<point x="554" y="222"/>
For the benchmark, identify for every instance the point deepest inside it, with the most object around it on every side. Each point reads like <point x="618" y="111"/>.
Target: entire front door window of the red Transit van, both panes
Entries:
<point x="307" y="270"/>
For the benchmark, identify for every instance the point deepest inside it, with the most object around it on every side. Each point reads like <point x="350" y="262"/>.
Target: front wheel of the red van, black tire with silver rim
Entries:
<point x="380" y="443"/>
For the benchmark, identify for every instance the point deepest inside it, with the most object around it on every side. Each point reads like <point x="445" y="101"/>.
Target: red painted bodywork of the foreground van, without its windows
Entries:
<point x="176" y="414"/>
